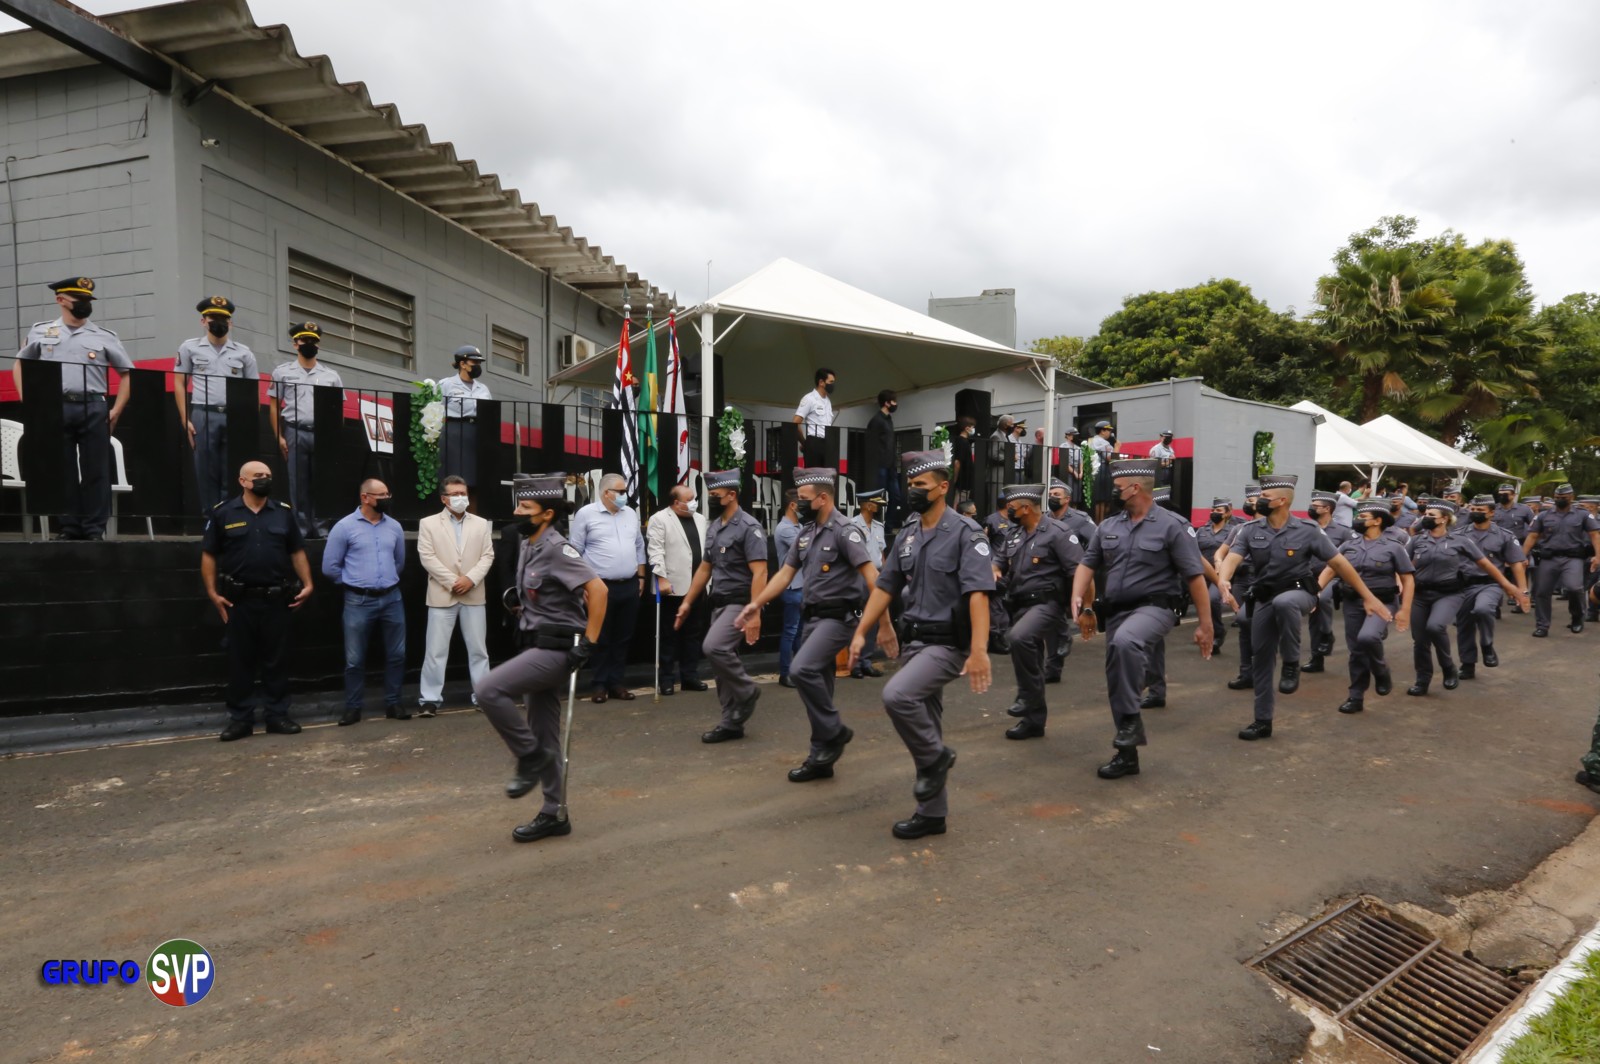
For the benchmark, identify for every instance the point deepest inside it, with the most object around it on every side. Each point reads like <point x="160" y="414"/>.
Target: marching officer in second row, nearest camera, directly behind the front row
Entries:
<point x="1150" y="558"/>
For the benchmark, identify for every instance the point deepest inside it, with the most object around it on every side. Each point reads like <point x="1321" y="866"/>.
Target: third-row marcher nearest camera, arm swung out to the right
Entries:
<point x="1286" y="553"/>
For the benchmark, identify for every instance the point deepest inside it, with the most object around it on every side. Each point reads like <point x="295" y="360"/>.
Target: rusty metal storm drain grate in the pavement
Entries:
<point x="1399" y="990"/>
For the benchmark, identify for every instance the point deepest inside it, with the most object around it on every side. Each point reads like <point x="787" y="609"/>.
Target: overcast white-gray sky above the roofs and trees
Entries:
<point x="1074" y="153"/>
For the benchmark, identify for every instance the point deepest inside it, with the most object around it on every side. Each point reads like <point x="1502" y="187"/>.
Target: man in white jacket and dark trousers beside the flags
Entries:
<point x="676" y="546"/>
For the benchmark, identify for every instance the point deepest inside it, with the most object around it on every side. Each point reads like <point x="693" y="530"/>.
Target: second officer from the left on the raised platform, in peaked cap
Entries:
<point x="212" y="361"/>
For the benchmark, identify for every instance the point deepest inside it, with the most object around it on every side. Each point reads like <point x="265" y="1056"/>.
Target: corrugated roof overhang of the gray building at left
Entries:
<point x="260" y="68"/>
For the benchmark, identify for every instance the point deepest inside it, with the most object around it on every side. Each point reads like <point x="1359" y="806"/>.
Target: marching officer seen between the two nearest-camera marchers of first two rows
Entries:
<point x="1042" y="558"/>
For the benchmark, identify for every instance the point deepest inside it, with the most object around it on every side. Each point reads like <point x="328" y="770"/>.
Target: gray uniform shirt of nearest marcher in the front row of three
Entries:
<point x="932" y="569"/>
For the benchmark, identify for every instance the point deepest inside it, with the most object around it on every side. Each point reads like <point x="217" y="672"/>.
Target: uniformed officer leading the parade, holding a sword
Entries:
<point x="561" y="607"/>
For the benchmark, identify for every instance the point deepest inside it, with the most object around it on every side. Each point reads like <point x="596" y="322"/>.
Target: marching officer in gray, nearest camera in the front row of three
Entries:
<point x="940" y="570"/>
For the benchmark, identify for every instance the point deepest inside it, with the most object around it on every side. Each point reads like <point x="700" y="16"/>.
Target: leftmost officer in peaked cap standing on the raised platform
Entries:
<point x="84" y="350"/>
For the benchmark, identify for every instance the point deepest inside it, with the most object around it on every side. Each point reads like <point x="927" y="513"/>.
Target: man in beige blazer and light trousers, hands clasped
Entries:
<point x="457" y="551"/>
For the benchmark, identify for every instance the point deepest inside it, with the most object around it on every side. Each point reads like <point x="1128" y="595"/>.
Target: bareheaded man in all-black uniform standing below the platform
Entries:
<point x="250" y="559"/>
